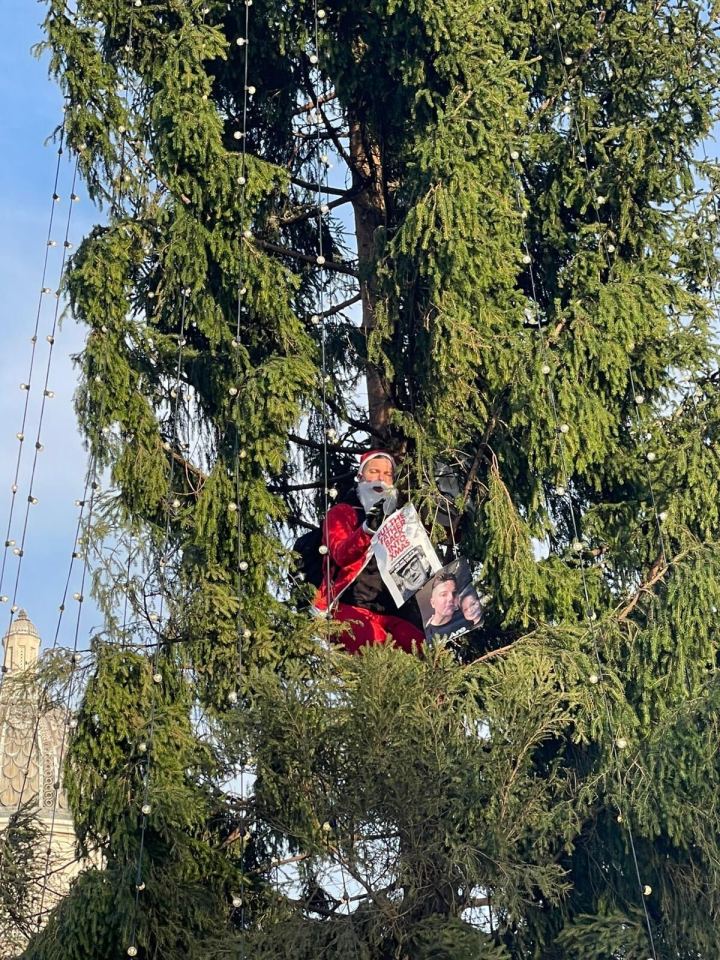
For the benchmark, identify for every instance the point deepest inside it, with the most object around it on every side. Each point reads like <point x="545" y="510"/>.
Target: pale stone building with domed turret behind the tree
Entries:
<point x="33" y="741"/>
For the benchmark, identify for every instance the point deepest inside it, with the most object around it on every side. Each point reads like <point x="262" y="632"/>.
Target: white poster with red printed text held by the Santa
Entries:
<point x="405" y="557"/>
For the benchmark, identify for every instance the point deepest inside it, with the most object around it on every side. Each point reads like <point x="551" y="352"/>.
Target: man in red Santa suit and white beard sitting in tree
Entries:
<point x="352" y="590"/>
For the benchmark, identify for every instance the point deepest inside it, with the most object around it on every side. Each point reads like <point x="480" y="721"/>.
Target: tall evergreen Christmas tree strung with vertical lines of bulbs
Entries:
<point x="532" y="237"/>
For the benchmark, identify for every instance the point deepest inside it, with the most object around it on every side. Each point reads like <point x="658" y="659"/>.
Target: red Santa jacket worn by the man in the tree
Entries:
<point x="347" y="544"/>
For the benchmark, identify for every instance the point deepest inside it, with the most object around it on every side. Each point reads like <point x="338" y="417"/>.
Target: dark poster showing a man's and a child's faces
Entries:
<point x="449" y="603"/>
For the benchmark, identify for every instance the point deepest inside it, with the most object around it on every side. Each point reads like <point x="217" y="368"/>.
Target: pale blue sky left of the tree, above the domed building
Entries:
<point x="31" y="110"/>
